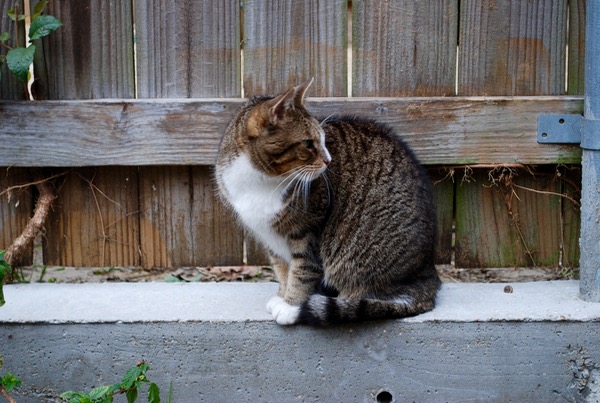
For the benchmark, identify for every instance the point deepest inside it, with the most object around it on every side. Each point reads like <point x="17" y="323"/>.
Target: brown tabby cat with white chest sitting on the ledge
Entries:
<point x="344" y="208"/>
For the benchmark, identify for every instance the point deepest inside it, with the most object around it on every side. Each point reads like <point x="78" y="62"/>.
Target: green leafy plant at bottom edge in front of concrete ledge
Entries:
<point x="130" y="385"/>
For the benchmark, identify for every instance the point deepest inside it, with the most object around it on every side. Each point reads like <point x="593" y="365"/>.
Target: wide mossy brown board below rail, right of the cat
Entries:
<point x="514" y="224"/>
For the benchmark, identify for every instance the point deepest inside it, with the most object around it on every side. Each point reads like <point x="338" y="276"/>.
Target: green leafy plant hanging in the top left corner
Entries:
<point x="19" y="58"/>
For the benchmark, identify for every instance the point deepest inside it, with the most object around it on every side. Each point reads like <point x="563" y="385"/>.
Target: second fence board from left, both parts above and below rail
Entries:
<point x="91" y="56"/>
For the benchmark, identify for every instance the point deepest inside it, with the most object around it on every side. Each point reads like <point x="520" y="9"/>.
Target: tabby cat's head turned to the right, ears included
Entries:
<point x="283" y="139"/>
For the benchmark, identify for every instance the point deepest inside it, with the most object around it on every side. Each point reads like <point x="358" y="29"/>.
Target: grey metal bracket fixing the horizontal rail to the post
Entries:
<point x="568" y="129"/>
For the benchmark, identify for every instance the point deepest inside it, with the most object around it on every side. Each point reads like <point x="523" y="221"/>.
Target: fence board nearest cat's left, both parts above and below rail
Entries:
<point x="187" y="49"/>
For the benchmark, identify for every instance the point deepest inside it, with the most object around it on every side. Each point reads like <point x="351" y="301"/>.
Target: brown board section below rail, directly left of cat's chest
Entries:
<point x="182" y="223"/>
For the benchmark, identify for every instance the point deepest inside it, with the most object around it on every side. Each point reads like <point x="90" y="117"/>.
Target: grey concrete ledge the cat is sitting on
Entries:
<point x="215" y="342"/>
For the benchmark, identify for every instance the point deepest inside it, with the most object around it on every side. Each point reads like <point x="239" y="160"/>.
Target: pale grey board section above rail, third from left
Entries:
<point x="188" y="48"/>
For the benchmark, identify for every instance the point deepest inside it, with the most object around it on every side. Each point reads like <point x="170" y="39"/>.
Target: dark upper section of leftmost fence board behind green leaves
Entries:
<point x="10" y="87"/>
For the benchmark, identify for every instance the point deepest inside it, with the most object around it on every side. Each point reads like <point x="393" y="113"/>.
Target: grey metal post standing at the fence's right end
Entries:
<point x="589" y="240"/>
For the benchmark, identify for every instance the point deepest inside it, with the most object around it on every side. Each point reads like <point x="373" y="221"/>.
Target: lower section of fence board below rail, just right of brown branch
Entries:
<point x="95" y="220"/>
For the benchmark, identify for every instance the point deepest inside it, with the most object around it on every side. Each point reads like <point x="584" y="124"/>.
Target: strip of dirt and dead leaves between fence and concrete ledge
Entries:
<point x="262" y="273"/>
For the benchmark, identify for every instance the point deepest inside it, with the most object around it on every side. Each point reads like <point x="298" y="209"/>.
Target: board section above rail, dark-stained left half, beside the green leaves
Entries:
<point x="91" y="56"/>
